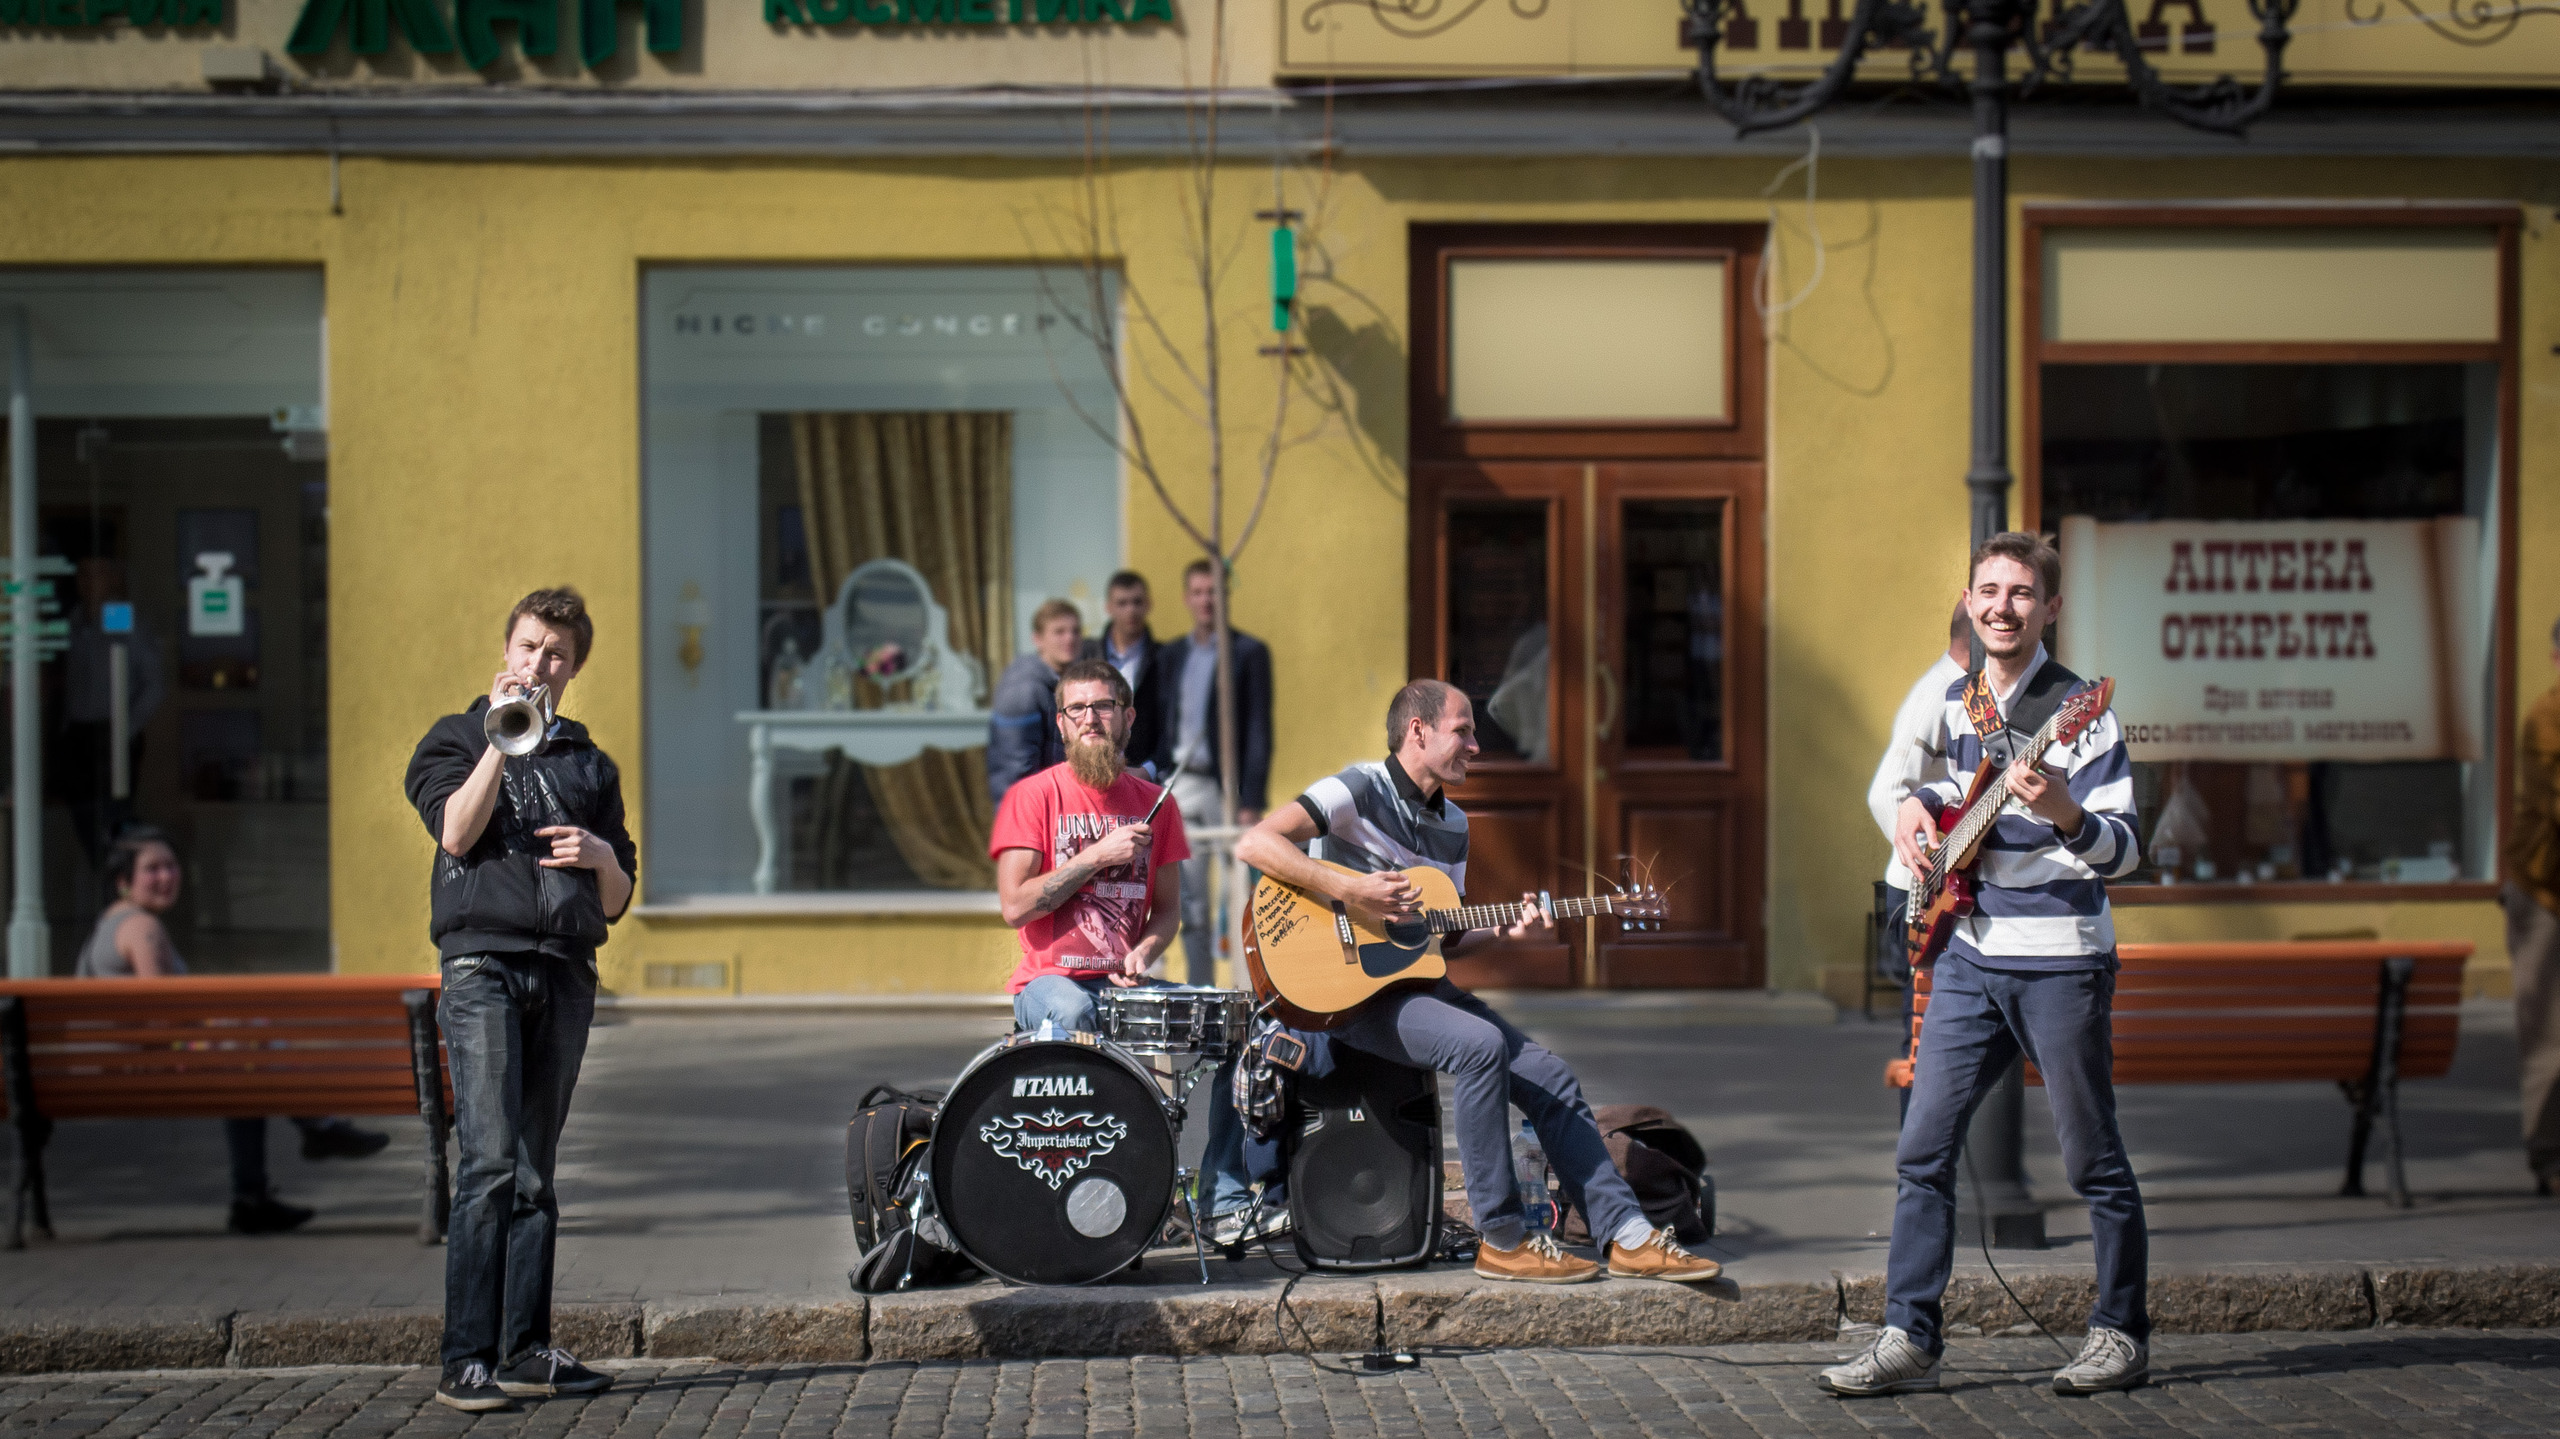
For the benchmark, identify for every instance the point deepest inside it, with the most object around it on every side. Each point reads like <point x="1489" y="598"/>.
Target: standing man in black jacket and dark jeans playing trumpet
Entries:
<point x="534" y="864"/>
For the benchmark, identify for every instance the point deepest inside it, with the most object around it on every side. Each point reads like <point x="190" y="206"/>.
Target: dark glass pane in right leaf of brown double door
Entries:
<point x="1676" y="626"/>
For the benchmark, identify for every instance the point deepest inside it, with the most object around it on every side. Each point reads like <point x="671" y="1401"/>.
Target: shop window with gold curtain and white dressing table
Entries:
<point x="803" y="424"/>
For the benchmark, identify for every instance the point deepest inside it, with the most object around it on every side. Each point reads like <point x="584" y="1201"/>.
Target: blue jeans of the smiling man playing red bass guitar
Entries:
<point x="1978" y="1020"/>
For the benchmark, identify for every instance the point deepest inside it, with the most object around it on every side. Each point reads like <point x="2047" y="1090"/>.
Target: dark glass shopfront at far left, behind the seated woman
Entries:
<point x="178" y="419"/>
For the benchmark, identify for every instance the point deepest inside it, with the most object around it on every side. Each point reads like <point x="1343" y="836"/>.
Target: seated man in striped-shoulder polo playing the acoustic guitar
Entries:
<point x="1381" y="818"/>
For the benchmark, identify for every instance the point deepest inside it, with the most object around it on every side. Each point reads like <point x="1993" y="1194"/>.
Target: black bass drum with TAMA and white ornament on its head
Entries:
<point x="1053" y="1161"/>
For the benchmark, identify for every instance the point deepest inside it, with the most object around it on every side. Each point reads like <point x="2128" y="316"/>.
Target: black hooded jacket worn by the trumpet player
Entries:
<point x="498" y="897"/>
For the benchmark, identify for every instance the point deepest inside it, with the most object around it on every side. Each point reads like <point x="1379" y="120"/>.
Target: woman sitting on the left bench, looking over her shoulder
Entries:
<point x="132" y="941"/>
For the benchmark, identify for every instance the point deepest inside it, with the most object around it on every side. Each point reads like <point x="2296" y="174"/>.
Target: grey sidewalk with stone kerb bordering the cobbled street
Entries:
<point x="703" y="1184"/>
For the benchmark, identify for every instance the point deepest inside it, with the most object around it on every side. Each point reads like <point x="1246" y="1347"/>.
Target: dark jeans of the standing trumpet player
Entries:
<point x="516" y="1033"/>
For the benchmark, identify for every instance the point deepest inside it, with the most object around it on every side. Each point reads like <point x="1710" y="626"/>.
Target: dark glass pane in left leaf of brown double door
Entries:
<point x="1499" y="623"/>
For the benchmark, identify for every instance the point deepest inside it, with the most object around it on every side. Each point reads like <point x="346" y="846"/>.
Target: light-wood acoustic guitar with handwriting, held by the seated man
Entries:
<point x="1315" y="961"/>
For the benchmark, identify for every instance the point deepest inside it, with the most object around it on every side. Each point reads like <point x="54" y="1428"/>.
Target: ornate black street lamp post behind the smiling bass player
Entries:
<point x="1993" y="32"/>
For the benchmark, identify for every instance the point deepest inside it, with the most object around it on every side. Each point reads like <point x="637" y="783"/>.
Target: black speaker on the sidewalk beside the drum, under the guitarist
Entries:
<point x="1366" y="1166"/>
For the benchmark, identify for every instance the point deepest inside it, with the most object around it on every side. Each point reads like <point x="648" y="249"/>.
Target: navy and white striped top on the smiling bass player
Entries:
<point x="2042" y="900"/>
